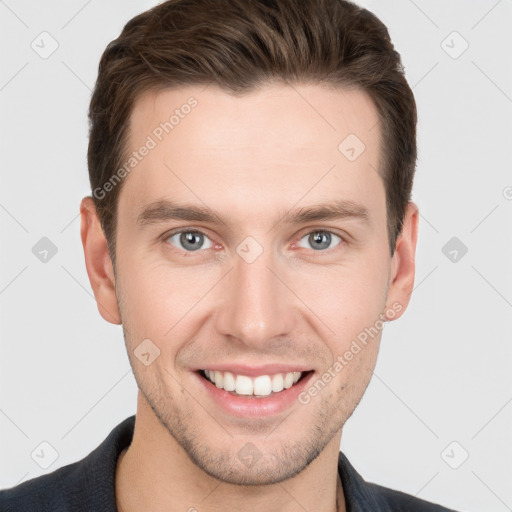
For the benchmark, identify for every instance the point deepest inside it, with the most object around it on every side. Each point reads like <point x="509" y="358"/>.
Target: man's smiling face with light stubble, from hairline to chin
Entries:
<point x="227" y="262"/>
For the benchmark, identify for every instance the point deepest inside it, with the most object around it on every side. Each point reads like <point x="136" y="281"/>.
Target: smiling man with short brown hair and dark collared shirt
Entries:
<point x="251" y="228"/>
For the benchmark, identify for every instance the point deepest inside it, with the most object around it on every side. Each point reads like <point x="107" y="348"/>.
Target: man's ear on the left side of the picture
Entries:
<point x="98" y="262"/>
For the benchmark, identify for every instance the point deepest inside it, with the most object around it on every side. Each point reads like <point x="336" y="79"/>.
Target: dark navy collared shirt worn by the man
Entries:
<point x="89" y="485"/>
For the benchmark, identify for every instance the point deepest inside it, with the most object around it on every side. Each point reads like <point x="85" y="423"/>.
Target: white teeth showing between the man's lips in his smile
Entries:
<point x="258" y="387"/>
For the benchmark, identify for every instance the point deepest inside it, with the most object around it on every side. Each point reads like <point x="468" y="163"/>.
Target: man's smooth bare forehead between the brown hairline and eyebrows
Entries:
<point x="273" y="145"/>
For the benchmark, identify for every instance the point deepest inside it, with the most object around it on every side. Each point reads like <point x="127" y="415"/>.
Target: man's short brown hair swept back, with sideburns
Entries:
<point x="239" y="45"/>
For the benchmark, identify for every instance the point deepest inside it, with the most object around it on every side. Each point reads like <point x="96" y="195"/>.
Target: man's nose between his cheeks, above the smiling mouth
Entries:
<point x="255" y="306"/>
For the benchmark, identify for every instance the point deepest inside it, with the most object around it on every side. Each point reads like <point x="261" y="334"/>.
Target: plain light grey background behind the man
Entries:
<point x="444" y="372"/>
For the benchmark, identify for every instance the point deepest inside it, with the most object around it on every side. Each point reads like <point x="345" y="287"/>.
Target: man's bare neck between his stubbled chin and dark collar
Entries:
<point x="155" y="474"/>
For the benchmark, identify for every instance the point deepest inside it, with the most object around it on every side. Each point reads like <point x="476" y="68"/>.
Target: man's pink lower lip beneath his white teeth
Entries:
<point x="245" y="406"/>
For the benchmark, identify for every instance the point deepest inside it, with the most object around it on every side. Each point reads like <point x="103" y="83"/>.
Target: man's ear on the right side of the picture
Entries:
<point x="401" y="280"/>
